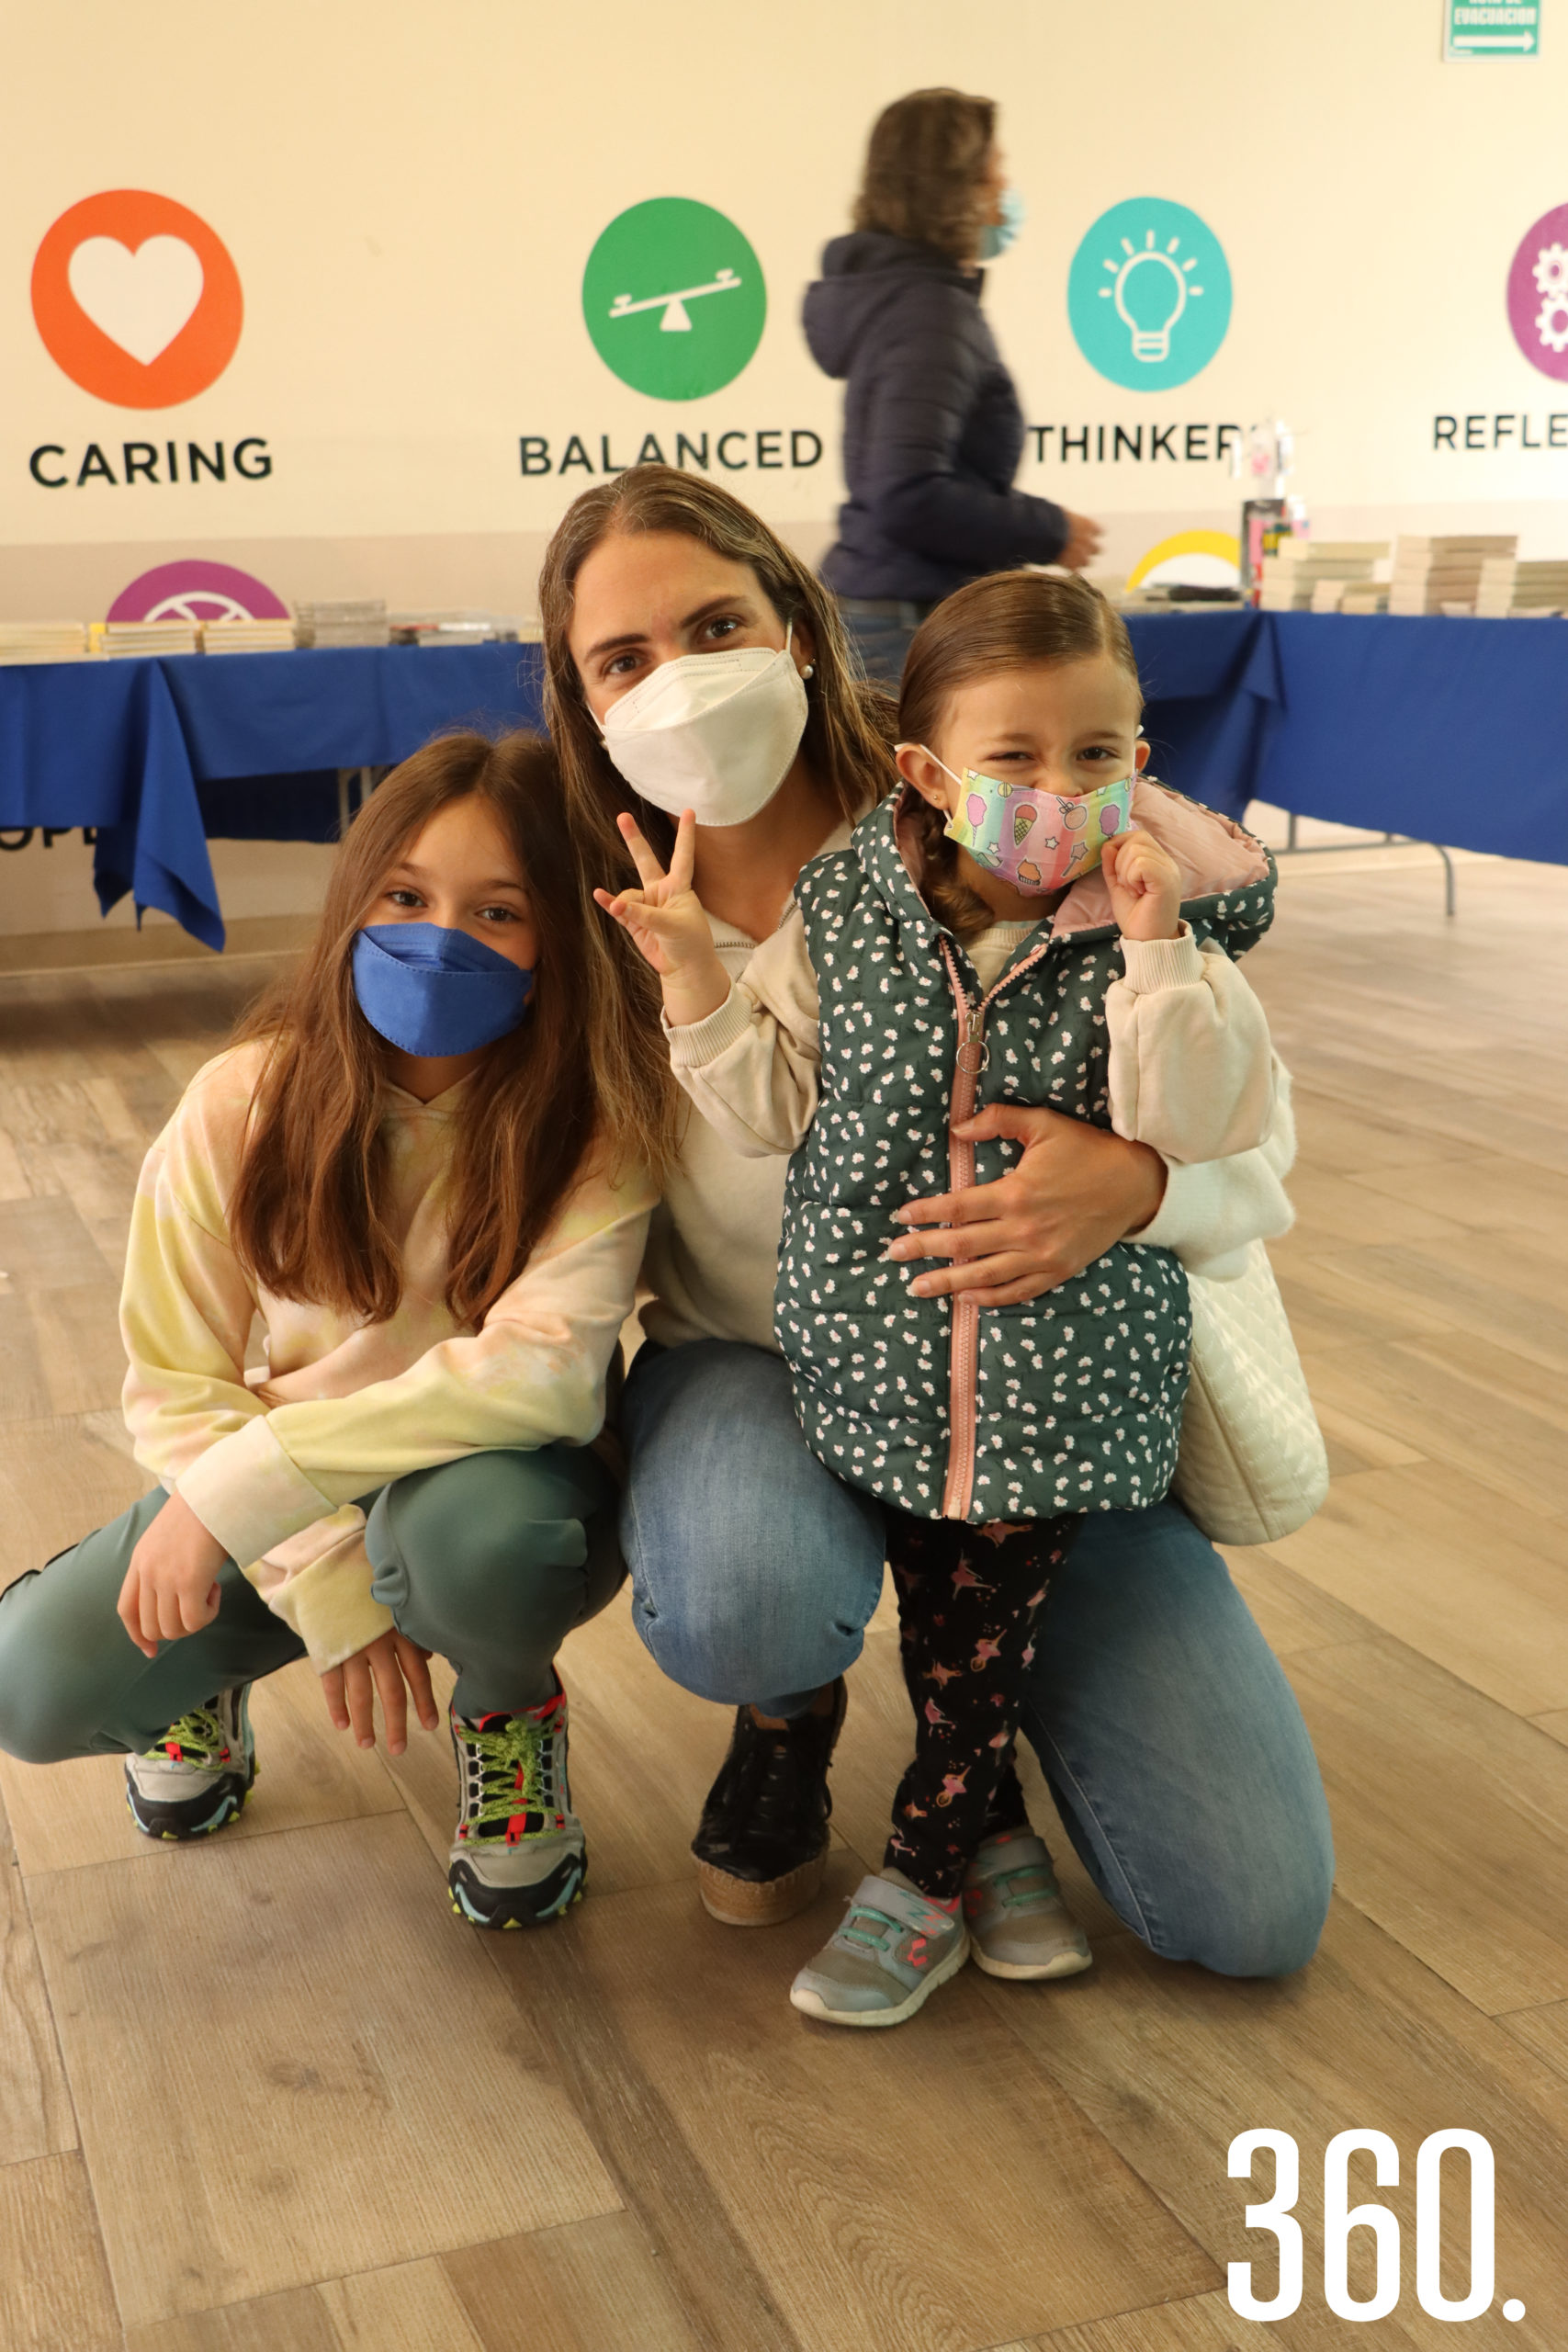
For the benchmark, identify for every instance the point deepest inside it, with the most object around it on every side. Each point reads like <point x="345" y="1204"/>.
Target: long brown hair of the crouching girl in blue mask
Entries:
<point x="309" y="1217"/>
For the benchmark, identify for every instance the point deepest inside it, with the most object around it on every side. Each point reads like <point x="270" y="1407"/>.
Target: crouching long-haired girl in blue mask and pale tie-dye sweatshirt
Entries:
<point x="427" y="1172"/>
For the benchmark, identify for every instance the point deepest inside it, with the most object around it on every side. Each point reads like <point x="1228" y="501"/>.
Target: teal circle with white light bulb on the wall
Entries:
<point x="1148" y="295"/>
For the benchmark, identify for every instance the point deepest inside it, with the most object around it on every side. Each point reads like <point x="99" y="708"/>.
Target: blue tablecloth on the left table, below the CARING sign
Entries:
<point x="159" y="754"/>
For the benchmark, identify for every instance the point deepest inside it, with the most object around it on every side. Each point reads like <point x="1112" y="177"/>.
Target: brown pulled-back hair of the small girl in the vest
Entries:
<point x="1005" y="622"/>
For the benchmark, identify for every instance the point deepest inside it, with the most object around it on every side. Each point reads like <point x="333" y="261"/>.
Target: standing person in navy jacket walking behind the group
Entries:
<point x="932" y="420"/>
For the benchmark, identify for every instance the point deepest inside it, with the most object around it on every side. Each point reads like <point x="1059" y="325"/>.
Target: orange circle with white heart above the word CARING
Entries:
<point x="138" y="300"/>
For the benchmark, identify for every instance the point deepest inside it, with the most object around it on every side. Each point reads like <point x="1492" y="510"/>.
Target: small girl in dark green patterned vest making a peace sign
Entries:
<point x="1026" y="923"/>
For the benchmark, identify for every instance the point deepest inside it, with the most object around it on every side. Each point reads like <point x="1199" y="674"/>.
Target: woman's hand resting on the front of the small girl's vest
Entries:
<point x="1076" y="1194"/>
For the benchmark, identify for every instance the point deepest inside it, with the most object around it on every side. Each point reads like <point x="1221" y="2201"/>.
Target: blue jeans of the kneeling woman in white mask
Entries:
<point x="1165" y="1725"/>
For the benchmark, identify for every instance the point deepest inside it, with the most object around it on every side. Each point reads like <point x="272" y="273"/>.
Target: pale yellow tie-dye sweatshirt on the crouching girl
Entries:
<point x="274" y="1462"/>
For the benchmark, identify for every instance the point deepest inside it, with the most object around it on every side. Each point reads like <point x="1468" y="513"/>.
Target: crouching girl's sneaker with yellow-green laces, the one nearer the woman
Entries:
<point x="518" y="1855"/>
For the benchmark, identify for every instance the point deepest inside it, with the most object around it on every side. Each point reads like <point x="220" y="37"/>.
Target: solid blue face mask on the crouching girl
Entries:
<point x="434" y="991"/>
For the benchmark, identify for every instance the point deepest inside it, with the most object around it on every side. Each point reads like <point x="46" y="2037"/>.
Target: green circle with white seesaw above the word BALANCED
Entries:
<point x="674" y="300"/>
